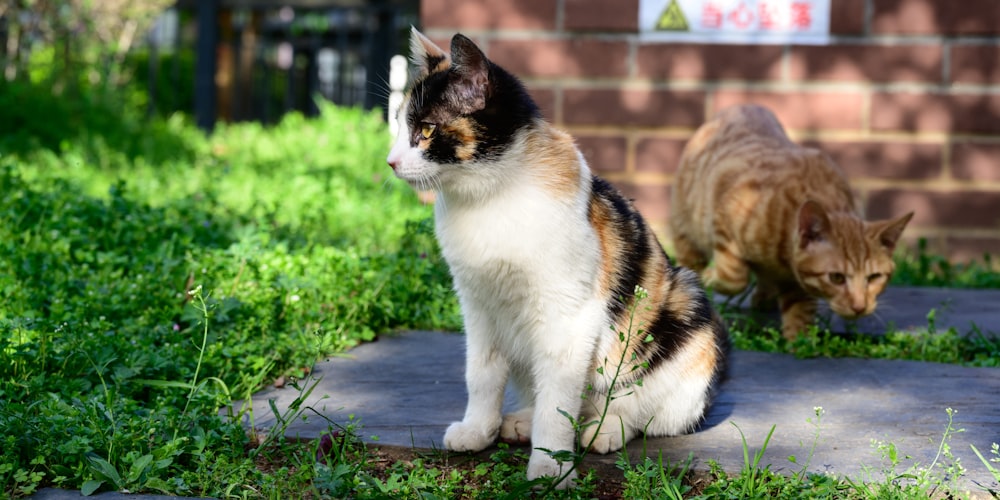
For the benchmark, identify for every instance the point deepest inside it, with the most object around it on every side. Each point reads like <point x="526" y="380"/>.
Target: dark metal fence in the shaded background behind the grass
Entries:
<point x="256" y="60"/>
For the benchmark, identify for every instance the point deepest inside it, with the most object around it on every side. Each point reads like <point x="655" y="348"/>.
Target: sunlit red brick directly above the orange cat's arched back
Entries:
<point x="801" y="110"/>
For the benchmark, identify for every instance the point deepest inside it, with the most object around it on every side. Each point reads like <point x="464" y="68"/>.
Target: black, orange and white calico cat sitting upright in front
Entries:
<point x="546" y="260"/>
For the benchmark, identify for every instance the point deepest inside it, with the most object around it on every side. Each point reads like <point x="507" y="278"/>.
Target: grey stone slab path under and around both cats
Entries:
<point x="404" y="390"/>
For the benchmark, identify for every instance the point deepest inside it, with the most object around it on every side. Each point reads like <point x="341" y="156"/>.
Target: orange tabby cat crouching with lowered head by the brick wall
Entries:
<point x="750" y="199"/>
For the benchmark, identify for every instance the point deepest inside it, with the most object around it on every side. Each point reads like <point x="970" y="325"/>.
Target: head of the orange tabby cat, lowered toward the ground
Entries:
<point x="843" y="259"/>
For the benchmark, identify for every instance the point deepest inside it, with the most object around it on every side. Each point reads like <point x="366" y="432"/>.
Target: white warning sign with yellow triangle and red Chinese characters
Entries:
<point x="735" y="21"/>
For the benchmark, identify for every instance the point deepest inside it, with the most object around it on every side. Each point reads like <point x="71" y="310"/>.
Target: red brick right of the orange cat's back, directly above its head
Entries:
<point x="884" y="160"/>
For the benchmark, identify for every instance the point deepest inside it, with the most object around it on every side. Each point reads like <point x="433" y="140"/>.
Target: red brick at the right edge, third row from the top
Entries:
<point x="936" y="112"/>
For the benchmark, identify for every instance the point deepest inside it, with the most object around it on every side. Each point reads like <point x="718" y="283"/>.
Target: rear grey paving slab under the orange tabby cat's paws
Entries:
<point x="906" y="309"/>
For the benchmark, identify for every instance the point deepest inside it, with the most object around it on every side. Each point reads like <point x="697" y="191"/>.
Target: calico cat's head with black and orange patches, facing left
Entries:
<point x="460" y="116"/>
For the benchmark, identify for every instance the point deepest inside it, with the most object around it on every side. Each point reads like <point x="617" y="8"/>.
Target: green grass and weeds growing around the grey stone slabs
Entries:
<point x="150" y="275"/>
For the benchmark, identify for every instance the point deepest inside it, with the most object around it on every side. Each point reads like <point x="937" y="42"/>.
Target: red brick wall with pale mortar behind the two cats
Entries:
<point x="906" y="98"/>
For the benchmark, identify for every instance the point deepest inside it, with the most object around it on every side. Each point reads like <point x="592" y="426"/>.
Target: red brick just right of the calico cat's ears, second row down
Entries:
<point x="575" y="58"/>
